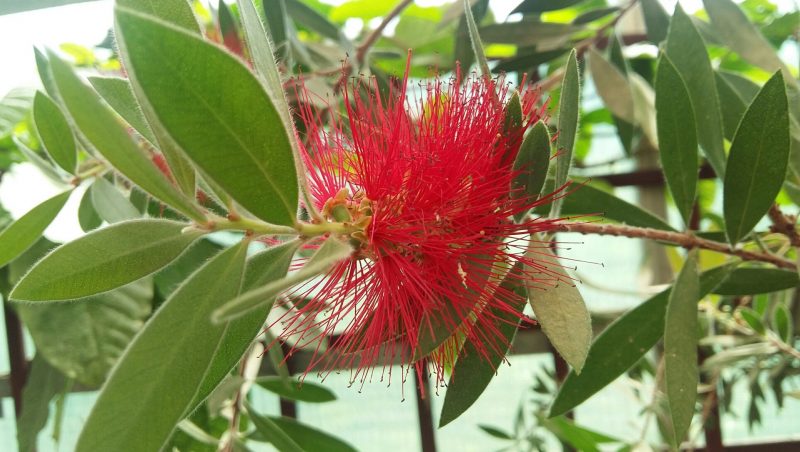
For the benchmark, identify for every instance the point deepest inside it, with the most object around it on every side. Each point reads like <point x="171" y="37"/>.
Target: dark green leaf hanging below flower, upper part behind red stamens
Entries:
<point x="473" y="372"/>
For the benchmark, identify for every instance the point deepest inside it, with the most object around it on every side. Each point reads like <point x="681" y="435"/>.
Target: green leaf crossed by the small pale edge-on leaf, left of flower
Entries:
<point x="267" y="266"/>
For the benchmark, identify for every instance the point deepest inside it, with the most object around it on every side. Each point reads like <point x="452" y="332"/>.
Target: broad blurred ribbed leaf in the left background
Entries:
<point x="85" y="339"/>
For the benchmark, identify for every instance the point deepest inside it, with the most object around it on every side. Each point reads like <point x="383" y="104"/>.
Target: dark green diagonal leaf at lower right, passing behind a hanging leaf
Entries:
<point x="622" y="344"/>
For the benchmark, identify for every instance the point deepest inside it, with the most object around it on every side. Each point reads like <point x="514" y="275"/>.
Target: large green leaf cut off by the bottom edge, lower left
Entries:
<point x="158" y="377"/>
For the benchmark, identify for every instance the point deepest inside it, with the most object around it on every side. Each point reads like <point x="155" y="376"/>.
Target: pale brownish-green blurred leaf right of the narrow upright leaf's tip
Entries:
<point x="612" y="86"/>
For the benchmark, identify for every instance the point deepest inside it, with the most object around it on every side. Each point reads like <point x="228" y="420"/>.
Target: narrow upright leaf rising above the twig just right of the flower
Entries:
<point x="568" y="108"/>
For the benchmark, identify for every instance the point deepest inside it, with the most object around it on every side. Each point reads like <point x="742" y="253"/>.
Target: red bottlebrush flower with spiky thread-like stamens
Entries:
<point x="428" y="177"/>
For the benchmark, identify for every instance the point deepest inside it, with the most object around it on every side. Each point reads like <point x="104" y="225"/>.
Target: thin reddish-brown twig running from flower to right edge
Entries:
<point x="683" y="239"/>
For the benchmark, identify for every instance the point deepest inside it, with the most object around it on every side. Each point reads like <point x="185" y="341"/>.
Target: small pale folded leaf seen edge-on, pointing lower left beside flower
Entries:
<point x="331" y="252"/>
